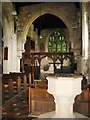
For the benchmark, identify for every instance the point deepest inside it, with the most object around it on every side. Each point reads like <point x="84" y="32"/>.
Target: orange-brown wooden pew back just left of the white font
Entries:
<point x="41" y="101"/>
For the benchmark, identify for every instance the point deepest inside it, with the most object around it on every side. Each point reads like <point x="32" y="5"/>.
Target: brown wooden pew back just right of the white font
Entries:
<point x="82" y="103"/>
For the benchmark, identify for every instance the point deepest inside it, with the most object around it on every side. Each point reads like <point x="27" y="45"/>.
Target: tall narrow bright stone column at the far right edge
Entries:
<point x="85" y="38"/>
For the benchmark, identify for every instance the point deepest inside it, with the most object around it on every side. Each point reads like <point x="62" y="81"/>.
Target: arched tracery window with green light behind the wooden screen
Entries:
<point x="57" y="42"/>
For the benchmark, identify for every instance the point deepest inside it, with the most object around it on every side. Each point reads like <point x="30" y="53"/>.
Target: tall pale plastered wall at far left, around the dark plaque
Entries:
<point x="9" y="39"/>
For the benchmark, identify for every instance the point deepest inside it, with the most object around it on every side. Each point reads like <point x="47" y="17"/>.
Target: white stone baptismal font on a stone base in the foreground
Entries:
<point x="64" y="90"/>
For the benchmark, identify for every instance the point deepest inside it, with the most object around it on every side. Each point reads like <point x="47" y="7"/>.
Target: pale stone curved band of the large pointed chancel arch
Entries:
<point x="43" y="11"/>
